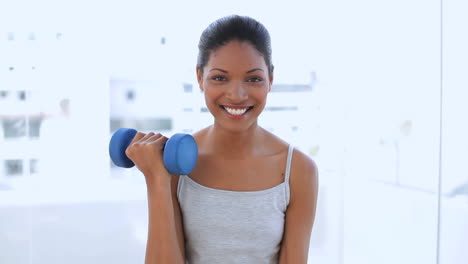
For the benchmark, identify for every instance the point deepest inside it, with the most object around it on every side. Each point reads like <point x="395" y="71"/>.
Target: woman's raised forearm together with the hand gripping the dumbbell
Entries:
<point x="165" y="238"/>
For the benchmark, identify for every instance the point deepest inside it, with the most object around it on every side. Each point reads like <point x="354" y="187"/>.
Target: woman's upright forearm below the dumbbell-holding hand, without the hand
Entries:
<point x="165" y="237"/>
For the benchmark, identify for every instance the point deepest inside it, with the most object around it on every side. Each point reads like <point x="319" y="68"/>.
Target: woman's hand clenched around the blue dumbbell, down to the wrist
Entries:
<point x="146" y="151"/>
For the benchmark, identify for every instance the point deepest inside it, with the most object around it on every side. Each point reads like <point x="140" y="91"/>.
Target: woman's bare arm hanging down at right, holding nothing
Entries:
<point x="300" y="214"/>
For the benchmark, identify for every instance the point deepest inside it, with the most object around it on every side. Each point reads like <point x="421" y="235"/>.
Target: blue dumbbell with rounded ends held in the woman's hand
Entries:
<point x="180" y="151"/>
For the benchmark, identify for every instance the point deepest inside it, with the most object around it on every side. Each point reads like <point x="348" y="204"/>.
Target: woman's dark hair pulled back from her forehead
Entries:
<point x="234" y="27"/>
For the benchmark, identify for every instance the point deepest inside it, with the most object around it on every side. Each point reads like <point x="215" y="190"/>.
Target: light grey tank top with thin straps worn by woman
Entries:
<point x="222" y="226"/>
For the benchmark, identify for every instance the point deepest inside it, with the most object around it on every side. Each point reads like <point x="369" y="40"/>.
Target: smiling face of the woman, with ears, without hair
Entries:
<point x="235" y="82"/>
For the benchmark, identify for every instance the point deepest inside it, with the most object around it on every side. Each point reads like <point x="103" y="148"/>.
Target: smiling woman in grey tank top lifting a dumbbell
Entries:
<point x="251" y="197"/>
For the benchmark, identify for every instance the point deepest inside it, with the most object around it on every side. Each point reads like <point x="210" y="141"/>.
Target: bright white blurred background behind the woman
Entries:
<point x="374" y="91"/>
